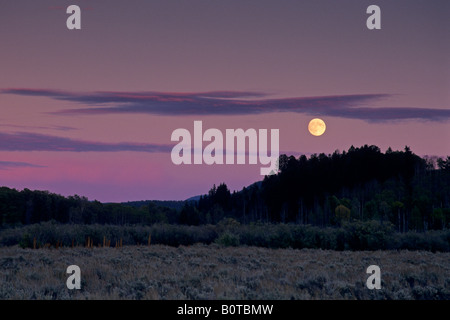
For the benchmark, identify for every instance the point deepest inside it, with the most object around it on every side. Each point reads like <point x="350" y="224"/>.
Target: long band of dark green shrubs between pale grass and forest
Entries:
<point x="356" y="235"/>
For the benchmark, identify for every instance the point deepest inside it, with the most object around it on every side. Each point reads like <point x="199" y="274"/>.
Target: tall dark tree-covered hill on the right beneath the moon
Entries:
<point x="364" y="184"/>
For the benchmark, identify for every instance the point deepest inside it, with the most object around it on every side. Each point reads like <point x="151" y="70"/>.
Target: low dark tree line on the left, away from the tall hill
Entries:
<point x="30" y="207"/>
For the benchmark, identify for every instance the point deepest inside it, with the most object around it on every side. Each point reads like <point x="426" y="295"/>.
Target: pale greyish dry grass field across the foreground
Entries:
<point x="214" y="272"/>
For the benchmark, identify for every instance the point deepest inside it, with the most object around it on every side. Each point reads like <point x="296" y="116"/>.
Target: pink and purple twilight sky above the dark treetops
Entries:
<point x="91" y="111"/>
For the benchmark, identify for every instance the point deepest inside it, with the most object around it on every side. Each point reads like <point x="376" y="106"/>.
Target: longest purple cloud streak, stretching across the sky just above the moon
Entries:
<point x="234" y="103"/>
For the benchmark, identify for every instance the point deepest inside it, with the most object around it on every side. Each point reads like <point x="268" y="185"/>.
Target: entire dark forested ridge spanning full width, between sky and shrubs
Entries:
<point x="361" y="184"/>
